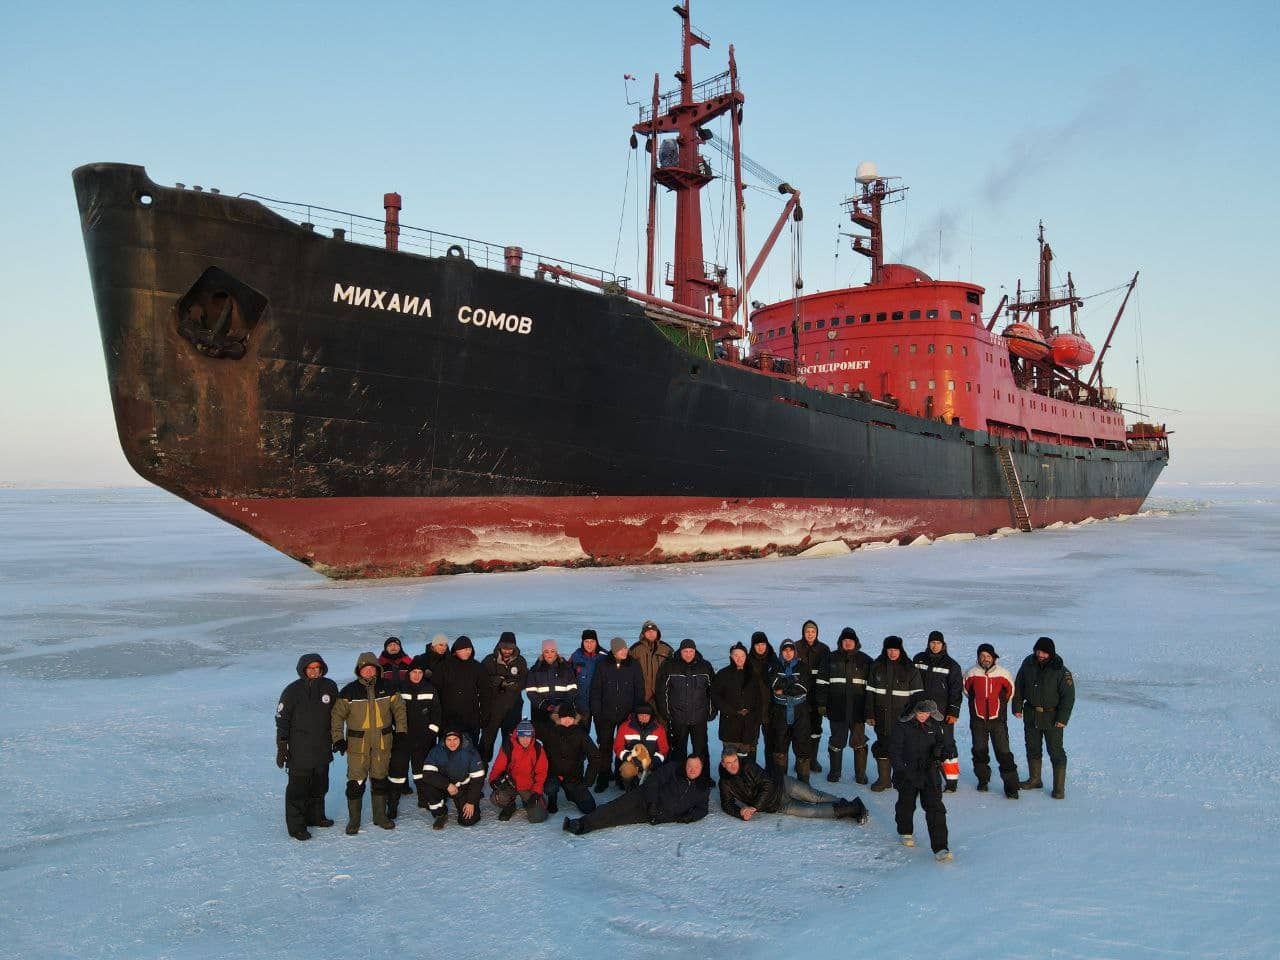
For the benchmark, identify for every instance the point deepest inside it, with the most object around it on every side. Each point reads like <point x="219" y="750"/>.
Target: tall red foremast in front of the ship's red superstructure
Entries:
<point x="682" y="170"/>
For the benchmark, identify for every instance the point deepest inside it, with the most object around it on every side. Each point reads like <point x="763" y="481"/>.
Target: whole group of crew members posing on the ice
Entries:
<point x="441" y="724"/>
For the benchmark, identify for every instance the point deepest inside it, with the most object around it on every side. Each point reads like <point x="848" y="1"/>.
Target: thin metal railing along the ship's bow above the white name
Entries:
<point x="371" y="231"/>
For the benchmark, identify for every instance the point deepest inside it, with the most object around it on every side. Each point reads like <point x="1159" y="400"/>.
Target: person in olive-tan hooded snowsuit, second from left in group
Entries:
<point x="364" y="719"/>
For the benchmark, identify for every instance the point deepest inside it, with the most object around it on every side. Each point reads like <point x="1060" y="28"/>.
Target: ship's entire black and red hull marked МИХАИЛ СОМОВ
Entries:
<point x="373" y="413"/>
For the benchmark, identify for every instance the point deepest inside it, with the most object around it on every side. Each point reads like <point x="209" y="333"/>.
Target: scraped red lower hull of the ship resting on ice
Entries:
<point x="386" y="537"/>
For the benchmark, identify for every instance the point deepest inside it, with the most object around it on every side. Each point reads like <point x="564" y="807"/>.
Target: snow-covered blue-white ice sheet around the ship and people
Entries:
<point x="145" y="646"/>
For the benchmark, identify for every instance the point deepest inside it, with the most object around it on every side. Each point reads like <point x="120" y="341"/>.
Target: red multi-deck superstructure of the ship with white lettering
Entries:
<point x="925" y="348"/>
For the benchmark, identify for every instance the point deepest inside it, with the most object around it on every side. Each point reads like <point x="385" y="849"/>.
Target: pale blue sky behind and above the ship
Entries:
<point x="1145" y="135"/>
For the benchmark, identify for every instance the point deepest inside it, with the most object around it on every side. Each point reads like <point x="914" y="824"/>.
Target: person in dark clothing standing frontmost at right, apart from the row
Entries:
<point x="916" y="751"/>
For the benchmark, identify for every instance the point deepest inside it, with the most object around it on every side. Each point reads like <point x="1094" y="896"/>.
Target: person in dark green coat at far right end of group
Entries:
<point x="1045" y="692"/>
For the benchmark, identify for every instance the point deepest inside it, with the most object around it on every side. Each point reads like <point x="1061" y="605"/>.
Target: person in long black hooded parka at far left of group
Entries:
<point x="303" y="720"/>
